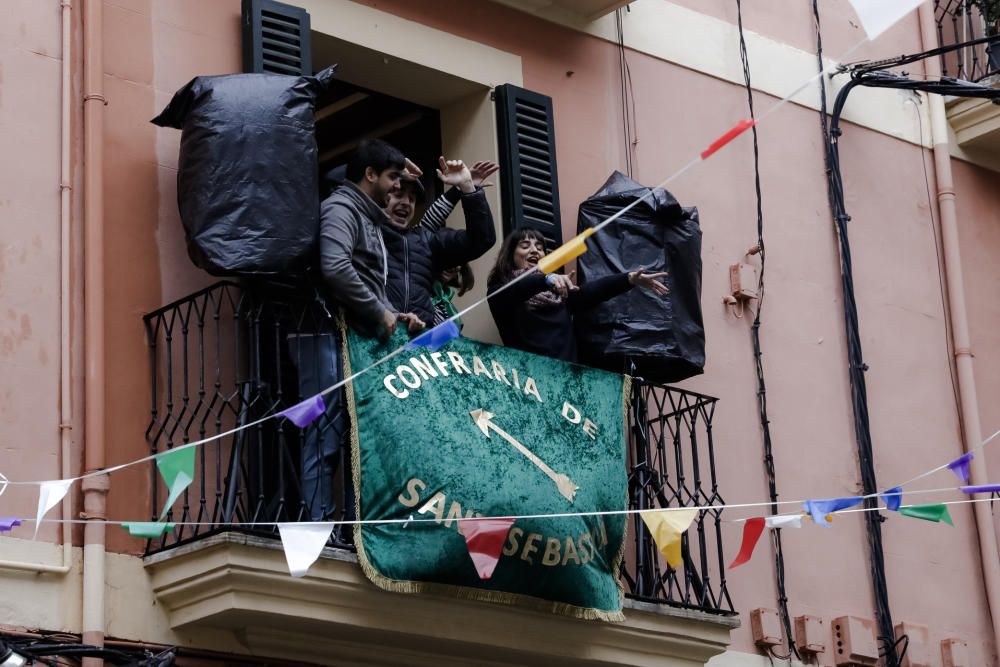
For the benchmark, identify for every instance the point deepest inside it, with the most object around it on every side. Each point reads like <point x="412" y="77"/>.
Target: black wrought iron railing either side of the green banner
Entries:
<point x="223" y="357"/>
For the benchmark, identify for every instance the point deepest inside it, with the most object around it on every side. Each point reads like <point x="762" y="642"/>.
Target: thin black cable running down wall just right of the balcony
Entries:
<point x="765" y="422"/>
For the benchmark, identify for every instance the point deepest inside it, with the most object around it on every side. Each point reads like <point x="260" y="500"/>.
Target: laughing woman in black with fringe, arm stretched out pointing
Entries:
<point x="535" y="314"/>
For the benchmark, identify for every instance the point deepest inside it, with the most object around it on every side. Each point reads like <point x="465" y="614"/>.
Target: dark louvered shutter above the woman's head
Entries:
<point x="529" y="186"/>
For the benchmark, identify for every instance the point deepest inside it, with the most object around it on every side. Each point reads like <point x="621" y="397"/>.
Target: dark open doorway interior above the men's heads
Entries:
<point x="349" y="113"/>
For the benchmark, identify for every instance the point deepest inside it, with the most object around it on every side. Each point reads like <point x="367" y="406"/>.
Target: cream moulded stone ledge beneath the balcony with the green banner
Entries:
<point x="333" y="615"/>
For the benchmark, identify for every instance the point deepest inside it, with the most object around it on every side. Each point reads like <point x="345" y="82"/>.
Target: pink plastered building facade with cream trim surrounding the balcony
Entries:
<point x="92" y="241"/>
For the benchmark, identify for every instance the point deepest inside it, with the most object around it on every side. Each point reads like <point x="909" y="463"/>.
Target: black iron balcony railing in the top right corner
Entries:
<point x="961" y="21"/>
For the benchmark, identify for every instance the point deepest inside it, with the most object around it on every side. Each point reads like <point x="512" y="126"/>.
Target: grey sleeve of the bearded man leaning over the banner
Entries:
<point x="339" y="230"/>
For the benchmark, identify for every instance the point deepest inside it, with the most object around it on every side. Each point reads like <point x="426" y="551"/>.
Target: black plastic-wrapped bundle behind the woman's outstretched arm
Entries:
<point x="663" y="336"/>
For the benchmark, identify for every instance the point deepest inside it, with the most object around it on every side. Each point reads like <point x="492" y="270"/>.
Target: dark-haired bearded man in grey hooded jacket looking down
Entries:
<point x="352" y="252"/>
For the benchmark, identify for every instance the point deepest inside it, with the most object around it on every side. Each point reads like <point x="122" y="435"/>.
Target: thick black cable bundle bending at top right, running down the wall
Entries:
<point x="869" y="75"/>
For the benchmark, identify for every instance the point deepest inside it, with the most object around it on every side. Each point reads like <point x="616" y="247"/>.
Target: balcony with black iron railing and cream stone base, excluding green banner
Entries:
<point x="220" y="358"/>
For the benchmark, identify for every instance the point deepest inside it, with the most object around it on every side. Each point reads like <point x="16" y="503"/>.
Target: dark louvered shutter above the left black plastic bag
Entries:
<point x="276" y="38"/>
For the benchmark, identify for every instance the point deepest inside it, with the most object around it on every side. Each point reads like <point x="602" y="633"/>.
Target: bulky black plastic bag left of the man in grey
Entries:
<point x="247" y="181"/>
